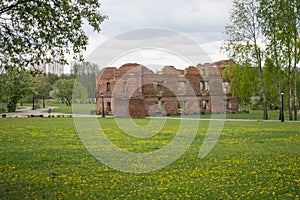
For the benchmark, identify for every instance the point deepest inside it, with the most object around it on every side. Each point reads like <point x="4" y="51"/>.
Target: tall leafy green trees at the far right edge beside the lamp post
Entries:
<point x="280" y="25"/>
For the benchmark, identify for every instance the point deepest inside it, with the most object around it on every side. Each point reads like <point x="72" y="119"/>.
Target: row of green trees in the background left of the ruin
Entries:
<point x="27" y="86"/>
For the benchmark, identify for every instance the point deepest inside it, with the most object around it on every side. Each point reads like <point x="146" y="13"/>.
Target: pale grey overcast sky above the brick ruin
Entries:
<point x="202" y="21"/>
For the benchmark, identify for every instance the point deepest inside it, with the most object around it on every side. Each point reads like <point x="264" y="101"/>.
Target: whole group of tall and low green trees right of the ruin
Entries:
<point x="263" y="39"/>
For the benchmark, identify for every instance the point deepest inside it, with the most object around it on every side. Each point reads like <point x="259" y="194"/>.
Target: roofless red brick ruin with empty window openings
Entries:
<point x="136" y="91"/>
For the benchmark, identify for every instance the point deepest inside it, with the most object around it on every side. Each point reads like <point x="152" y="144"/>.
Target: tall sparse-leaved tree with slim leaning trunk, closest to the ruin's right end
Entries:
<point x="243" y="43"/>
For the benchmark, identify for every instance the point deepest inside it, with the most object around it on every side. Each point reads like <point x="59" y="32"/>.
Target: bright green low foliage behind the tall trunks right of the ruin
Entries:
<point x="244" y="83"/>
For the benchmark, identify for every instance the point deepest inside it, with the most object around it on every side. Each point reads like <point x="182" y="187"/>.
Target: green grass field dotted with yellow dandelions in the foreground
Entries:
<point x="45" y="159"/>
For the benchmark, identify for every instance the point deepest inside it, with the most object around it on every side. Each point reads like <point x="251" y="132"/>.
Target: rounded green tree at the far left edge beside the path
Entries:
<point x="16" y="85"/>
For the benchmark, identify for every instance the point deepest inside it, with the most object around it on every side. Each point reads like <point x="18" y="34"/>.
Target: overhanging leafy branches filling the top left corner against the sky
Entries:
<point x="35" y="32"/>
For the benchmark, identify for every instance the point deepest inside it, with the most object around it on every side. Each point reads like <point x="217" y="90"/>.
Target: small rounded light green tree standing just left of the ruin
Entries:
<point x="63" y="89"/>
